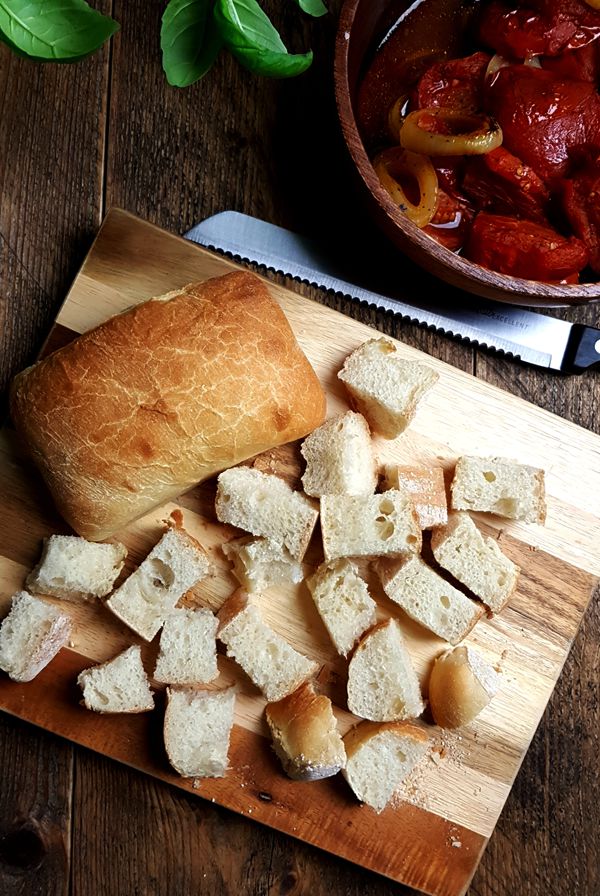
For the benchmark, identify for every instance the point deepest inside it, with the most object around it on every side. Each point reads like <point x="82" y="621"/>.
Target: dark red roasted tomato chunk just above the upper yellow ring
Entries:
<point x="456" y="84"/>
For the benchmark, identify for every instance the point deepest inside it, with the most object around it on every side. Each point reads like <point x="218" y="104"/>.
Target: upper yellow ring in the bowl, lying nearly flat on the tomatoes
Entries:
<point x="477" y="134"/>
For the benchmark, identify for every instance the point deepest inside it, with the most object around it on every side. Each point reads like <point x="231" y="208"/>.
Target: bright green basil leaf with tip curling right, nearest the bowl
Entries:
<point x="255" y="42"/>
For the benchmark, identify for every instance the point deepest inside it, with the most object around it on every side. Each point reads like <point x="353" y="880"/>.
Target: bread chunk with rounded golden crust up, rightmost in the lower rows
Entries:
<point x="461" y="685"/>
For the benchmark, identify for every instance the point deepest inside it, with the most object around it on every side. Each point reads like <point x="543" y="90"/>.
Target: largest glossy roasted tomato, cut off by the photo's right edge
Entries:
<point x="544" y="119"/>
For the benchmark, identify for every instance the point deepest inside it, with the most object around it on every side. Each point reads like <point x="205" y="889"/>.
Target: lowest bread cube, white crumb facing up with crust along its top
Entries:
<point x="380" y="755"/>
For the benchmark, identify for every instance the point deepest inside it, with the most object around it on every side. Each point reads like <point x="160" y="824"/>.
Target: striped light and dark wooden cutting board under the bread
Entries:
<point x="433" y="835"/>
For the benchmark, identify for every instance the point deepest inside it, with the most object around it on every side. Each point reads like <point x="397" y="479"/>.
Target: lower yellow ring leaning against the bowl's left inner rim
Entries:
<point x="391" y="164"/>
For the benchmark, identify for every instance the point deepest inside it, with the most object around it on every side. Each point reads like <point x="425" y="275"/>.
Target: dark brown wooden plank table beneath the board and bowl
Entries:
<point x="75" y="140"/>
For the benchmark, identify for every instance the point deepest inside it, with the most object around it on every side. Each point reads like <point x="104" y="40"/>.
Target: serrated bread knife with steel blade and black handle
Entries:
<point x="523" y="335"/>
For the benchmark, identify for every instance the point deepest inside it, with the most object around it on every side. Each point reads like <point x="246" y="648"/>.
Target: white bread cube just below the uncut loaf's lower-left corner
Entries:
<point x="75" y="569"/>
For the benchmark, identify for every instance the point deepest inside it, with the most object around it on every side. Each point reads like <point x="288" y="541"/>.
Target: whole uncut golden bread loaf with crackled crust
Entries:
<point x="162" y="396"/>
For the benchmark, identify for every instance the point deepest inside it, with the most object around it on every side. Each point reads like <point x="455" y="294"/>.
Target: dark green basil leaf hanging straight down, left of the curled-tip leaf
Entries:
<point x="189" y="41"/>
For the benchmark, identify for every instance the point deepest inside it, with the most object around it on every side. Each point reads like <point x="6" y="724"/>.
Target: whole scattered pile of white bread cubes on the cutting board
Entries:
<point x="365" y="514"/>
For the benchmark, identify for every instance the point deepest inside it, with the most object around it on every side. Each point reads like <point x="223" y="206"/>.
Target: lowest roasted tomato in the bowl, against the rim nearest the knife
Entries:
<point x="524" y="249"/>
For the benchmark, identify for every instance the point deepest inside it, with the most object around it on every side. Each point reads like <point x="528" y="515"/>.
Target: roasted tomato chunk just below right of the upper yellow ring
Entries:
<point x="502" y="183"/>
